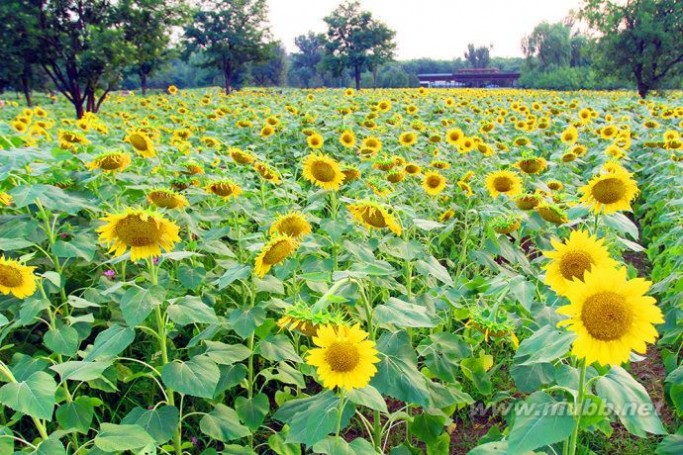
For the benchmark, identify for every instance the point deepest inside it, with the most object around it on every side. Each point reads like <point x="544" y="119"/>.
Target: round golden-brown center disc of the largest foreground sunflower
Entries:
<point x="606" y="316"/>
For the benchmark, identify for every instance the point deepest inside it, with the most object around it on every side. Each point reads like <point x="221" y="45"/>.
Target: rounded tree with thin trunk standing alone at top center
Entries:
<point x="356" y="40"/>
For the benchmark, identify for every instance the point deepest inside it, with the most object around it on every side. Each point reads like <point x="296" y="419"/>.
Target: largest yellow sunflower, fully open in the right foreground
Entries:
<point x="610" y="315"/>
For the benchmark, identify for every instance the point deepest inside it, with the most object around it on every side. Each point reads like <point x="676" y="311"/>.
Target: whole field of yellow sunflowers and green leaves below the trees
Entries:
<point x="342" y="272"/>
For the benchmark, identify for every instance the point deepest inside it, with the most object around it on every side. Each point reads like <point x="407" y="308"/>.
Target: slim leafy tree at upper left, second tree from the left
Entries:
<point x="148" y="25"/>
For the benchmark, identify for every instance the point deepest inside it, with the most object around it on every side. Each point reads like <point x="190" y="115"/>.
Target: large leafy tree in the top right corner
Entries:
<point x="640" y="39"/>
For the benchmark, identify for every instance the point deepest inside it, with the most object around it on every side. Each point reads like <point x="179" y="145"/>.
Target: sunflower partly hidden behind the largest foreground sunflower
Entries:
<point x="571" y="259"/>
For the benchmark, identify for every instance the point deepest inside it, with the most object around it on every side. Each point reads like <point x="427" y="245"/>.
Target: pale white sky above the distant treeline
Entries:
<point x="438" y="29"/>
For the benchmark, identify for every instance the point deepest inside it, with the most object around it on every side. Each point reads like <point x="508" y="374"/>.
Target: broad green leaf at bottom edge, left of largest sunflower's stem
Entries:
<point x="541" y="422"/>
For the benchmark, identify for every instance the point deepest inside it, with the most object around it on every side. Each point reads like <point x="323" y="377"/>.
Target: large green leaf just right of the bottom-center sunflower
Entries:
<point x="397" y="373"/>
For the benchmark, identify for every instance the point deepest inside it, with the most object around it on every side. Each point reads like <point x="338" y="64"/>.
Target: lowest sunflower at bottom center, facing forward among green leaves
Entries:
<point x="343" y="358"/>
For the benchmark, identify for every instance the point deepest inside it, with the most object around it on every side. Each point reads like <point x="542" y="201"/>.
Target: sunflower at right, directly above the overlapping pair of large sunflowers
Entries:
<point x="610" y="192"/>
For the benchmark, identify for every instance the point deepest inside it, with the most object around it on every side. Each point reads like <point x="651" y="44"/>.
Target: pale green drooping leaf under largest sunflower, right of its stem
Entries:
<point x="630" y="401"/>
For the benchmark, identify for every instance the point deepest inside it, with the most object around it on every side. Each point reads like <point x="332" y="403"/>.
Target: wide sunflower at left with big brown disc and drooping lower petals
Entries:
<point x="145" y="233"/>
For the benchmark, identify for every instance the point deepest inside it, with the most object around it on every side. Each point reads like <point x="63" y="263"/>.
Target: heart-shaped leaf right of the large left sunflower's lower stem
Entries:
<point x="198" y="377"/>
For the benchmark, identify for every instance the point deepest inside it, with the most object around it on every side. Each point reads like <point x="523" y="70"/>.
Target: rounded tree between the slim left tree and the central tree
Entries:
<point x="229" y="34"/>
